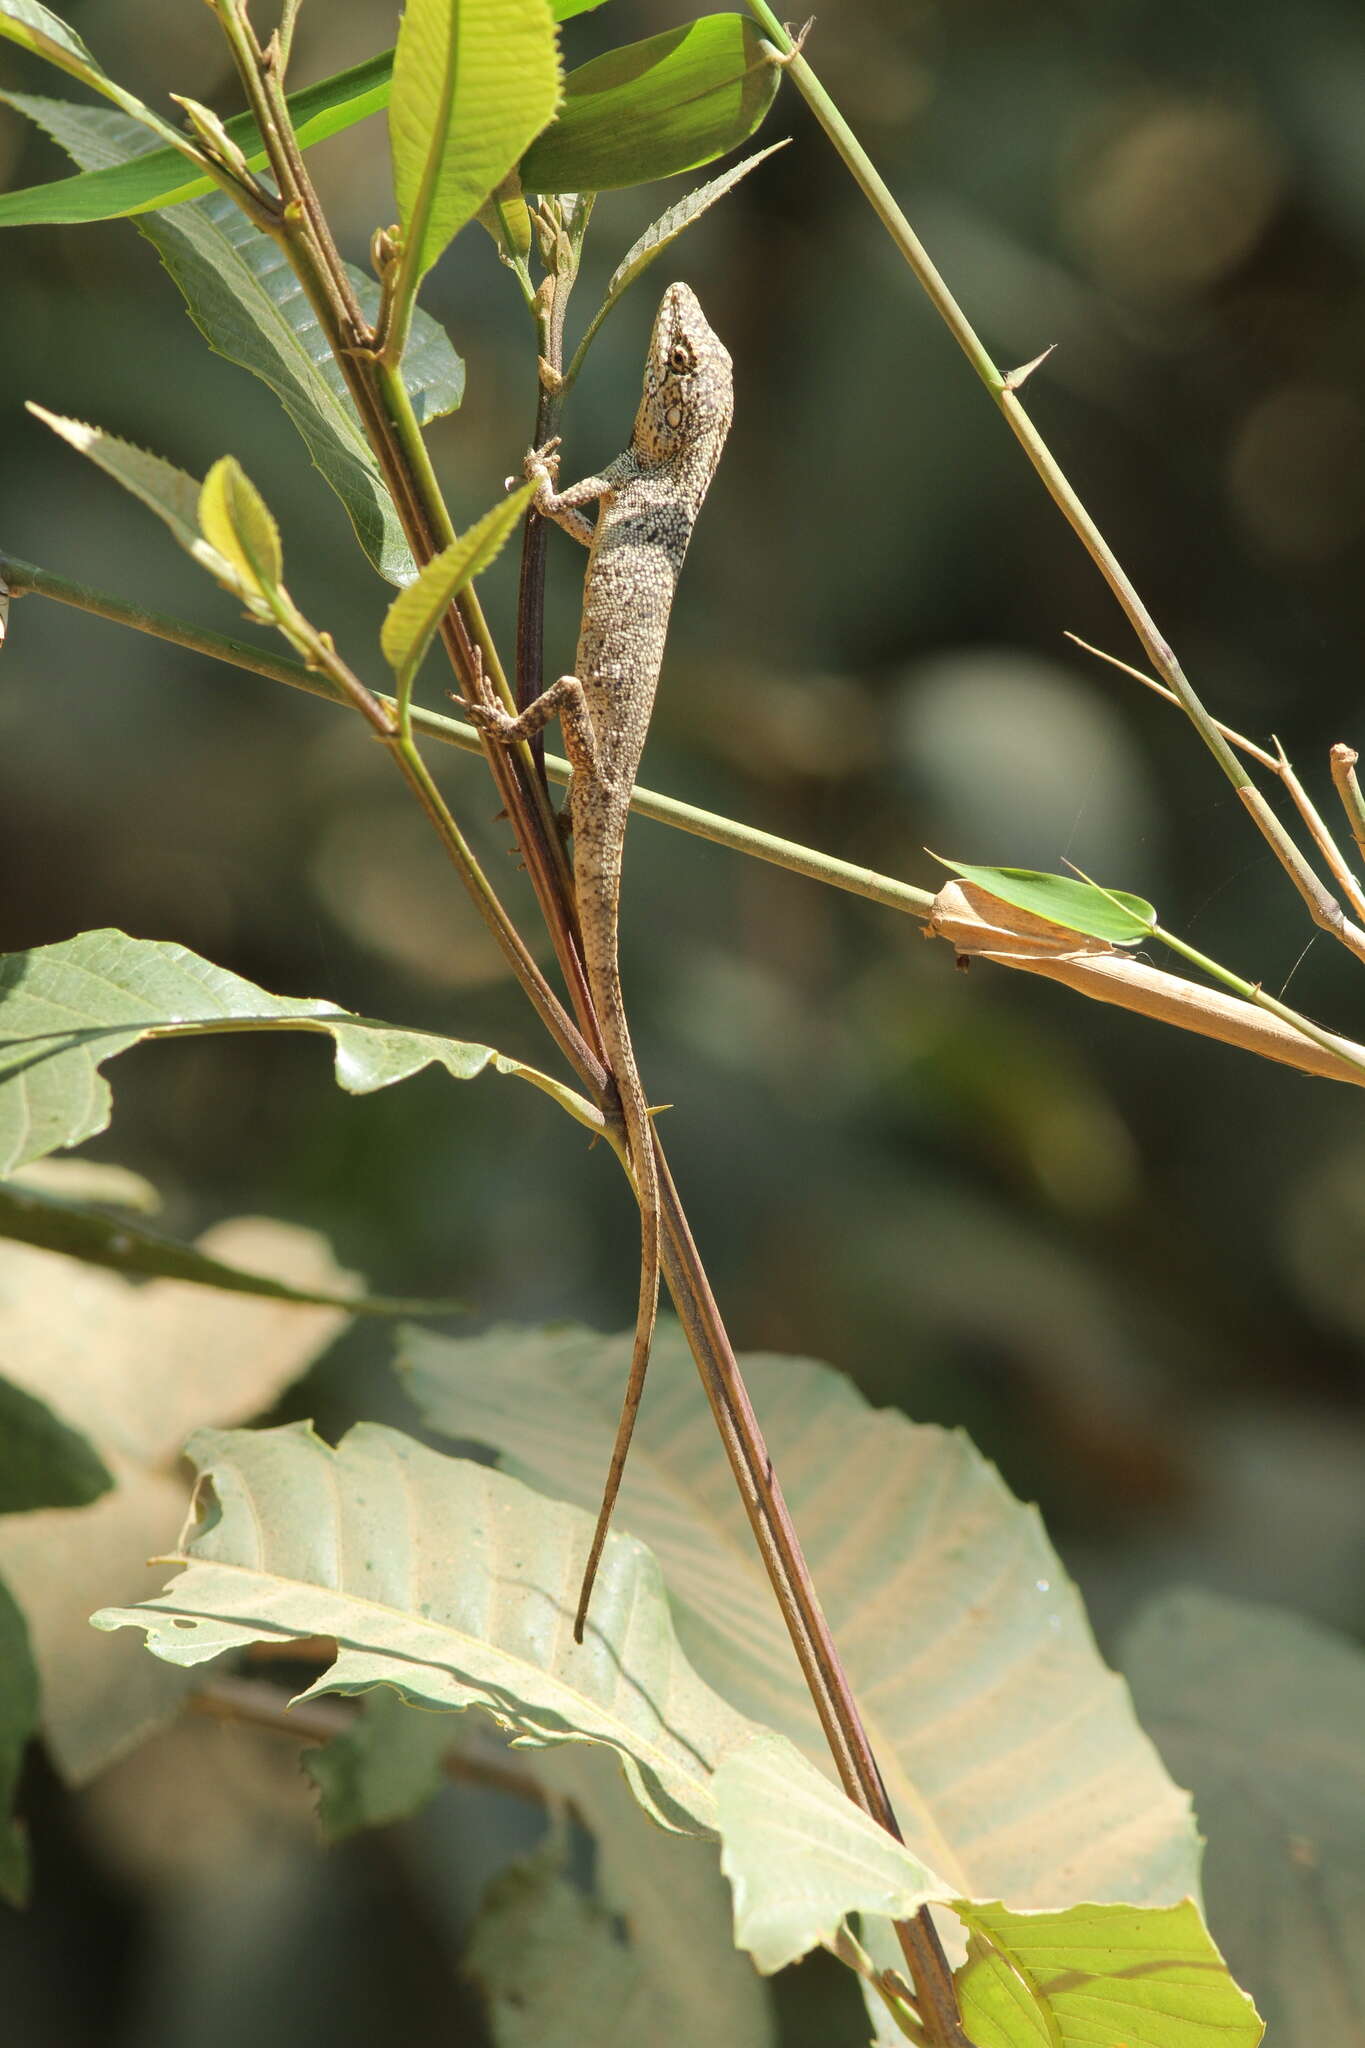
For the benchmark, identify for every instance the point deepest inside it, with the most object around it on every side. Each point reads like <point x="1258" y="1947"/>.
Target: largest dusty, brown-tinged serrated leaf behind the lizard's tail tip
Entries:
<point x="1008" y="1748"/>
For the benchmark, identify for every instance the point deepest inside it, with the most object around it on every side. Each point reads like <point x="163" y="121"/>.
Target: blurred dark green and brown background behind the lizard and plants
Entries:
<point x="1127" y="1263"/>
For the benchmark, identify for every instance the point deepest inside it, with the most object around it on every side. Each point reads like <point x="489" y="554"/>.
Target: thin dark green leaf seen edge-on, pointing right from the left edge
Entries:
<point x="79" y="1232"/>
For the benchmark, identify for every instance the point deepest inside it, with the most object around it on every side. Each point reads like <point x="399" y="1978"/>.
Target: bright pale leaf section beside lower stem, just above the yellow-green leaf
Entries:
<point x="801" y="1857"/>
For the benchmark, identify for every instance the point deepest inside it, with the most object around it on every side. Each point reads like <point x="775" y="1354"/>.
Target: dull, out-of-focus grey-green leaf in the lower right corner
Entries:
<point x="1262" y="1715"/>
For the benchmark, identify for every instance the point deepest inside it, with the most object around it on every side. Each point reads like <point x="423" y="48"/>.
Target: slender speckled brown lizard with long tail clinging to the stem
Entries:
<point x="648" y="505"/>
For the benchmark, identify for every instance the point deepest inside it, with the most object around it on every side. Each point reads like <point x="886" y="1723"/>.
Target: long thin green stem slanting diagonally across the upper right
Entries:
<point x="1321" y="904"/>
